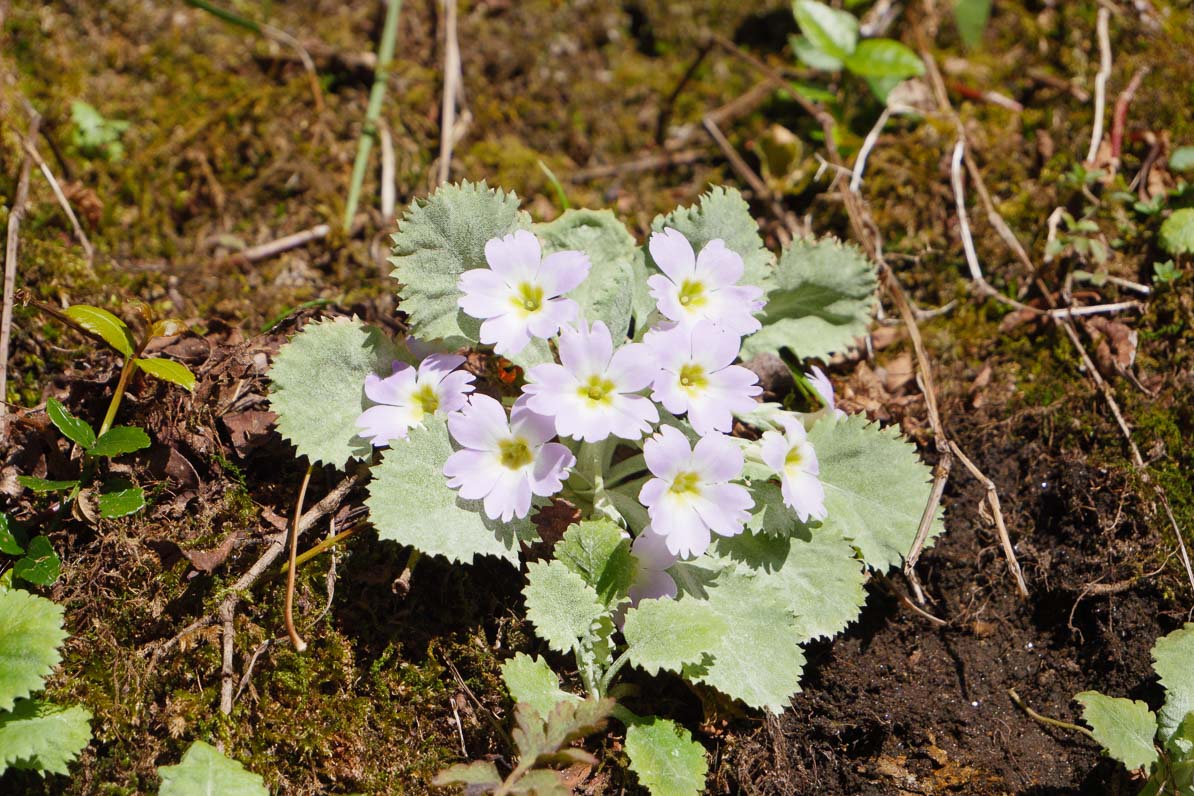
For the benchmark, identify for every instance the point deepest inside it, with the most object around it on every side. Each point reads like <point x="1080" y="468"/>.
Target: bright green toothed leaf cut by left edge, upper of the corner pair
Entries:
<point x="30" y="635"/>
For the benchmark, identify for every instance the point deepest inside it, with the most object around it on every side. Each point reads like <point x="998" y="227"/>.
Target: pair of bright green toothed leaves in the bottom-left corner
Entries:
<point x="35" y="735"/>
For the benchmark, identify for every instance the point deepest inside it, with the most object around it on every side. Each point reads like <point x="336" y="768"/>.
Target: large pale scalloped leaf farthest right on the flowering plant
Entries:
<point x="876" y="488"/>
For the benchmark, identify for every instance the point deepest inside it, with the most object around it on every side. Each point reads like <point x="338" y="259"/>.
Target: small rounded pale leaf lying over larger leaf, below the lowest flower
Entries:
<point x="667" y="634"/>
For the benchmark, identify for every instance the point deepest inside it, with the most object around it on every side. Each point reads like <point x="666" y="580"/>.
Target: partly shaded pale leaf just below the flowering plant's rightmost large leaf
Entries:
<point x="817" y="576"/>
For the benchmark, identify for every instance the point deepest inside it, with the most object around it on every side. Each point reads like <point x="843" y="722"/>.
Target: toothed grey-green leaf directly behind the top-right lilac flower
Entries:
<point x="723" y="214"/>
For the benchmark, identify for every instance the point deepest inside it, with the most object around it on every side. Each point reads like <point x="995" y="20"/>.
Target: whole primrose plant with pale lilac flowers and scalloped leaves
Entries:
<point x="716" y="534"/>
